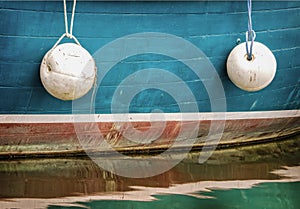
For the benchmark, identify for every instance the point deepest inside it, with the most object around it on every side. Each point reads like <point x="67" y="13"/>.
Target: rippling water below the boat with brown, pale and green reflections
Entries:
<point x="262" y="176"/>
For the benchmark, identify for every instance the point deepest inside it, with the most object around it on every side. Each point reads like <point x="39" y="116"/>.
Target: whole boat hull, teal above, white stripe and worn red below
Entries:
<point x="144" y="35"/>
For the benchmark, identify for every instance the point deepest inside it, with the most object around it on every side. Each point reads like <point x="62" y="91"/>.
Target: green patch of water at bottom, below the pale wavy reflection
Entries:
<point x="266" y="195"/>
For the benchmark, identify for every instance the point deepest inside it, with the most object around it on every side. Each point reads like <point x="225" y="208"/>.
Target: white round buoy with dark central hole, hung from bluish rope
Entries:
<point x="254" y="74"/>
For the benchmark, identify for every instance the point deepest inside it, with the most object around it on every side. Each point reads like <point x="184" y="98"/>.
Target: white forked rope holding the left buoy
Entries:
<point x="67" y="33"/>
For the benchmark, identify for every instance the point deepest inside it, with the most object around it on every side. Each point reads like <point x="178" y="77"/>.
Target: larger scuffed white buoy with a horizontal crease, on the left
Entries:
<point x="68" y="71"/>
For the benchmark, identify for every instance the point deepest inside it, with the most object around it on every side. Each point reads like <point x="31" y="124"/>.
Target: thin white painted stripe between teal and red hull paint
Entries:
<point x="147" y="117"/>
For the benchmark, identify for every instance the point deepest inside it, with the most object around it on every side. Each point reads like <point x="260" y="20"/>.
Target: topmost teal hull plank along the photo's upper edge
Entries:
<point x="146" y="7"/>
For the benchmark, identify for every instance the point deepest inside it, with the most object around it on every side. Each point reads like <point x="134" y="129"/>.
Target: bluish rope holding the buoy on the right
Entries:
<point x="250" y="34"/>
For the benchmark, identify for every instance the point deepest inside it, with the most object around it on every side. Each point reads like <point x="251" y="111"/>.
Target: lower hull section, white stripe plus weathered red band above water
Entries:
<point x="28" y="135"/>
